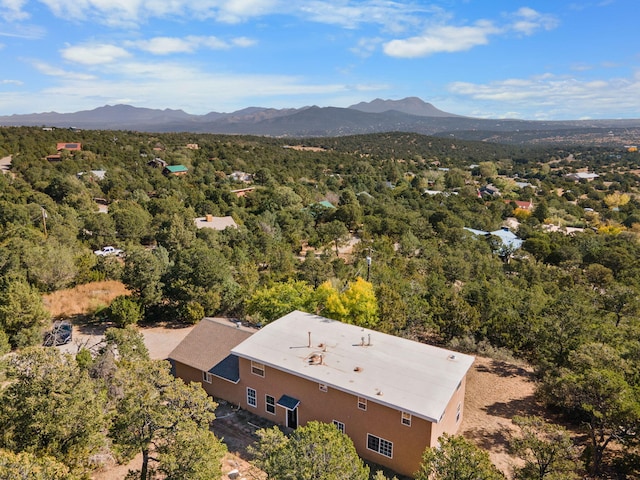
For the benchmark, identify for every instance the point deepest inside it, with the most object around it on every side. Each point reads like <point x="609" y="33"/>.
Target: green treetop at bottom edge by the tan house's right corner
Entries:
<point x="456" y="459"/>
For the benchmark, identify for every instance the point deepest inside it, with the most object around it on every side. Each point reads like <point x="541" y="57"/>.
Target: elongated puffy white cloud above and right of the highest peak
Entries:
<point x="442" y="38"/>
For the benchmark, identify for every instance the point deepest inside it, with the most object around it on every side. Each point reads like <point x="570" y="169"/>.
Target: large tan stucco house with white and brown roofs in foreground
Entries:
<point x="393" y="397"/>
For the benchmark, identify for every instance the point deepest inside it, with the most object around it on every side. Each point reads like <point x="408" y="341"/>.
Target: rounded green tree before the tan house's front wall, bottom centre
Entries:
<point x="317" y="451"/>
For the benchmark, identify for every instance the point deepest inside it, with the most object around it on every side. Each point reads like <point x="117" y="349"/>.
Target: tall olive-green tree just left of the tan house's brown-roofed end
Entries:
<point x="158" y="414"/>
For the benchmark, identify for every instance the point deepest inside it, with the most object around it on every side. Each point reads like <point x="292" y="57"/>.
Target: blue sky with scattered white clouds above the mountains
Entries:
<point x="532" y="59"/>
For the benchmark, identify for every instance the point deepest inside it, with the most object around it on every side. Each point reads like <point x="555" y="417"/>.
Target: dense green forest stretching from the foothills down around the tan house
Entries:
<point x="567" y="301"/>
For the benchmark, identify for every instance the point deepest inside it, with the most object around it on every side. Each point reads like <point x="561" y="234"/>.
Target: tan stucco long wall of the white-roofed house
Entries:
<point x="384" y="422"/>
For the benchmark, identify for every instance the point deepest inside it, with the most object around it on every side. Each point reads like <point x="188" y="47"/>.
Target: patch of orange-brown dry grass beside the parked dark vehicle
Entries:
<point x="83" y="299"/>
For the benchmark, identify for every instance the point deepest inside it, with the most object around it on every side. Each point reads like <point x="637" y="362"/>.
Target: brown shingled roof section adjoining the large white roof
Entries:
<point x="209" y="343"/>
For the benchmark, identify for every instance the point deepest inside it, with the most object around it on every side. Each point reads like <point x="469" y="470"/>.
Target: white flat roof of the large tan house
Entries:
<point x="402" y="374"/>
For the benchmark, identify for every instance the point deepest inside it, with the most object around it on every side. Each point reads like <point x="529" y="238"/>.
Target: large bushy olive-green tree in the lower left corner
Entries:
<point x="52" y="408"/>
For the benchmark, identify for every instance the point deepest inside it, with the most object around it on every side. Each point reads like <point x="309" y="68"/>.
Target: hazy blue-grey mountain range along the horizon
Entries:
<point x="408" y="115"/>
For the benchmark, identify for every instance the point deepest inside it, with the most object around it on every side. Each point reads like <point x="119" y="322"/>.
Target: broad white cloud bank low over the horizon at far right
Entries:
<point x="558" y="96"/>
